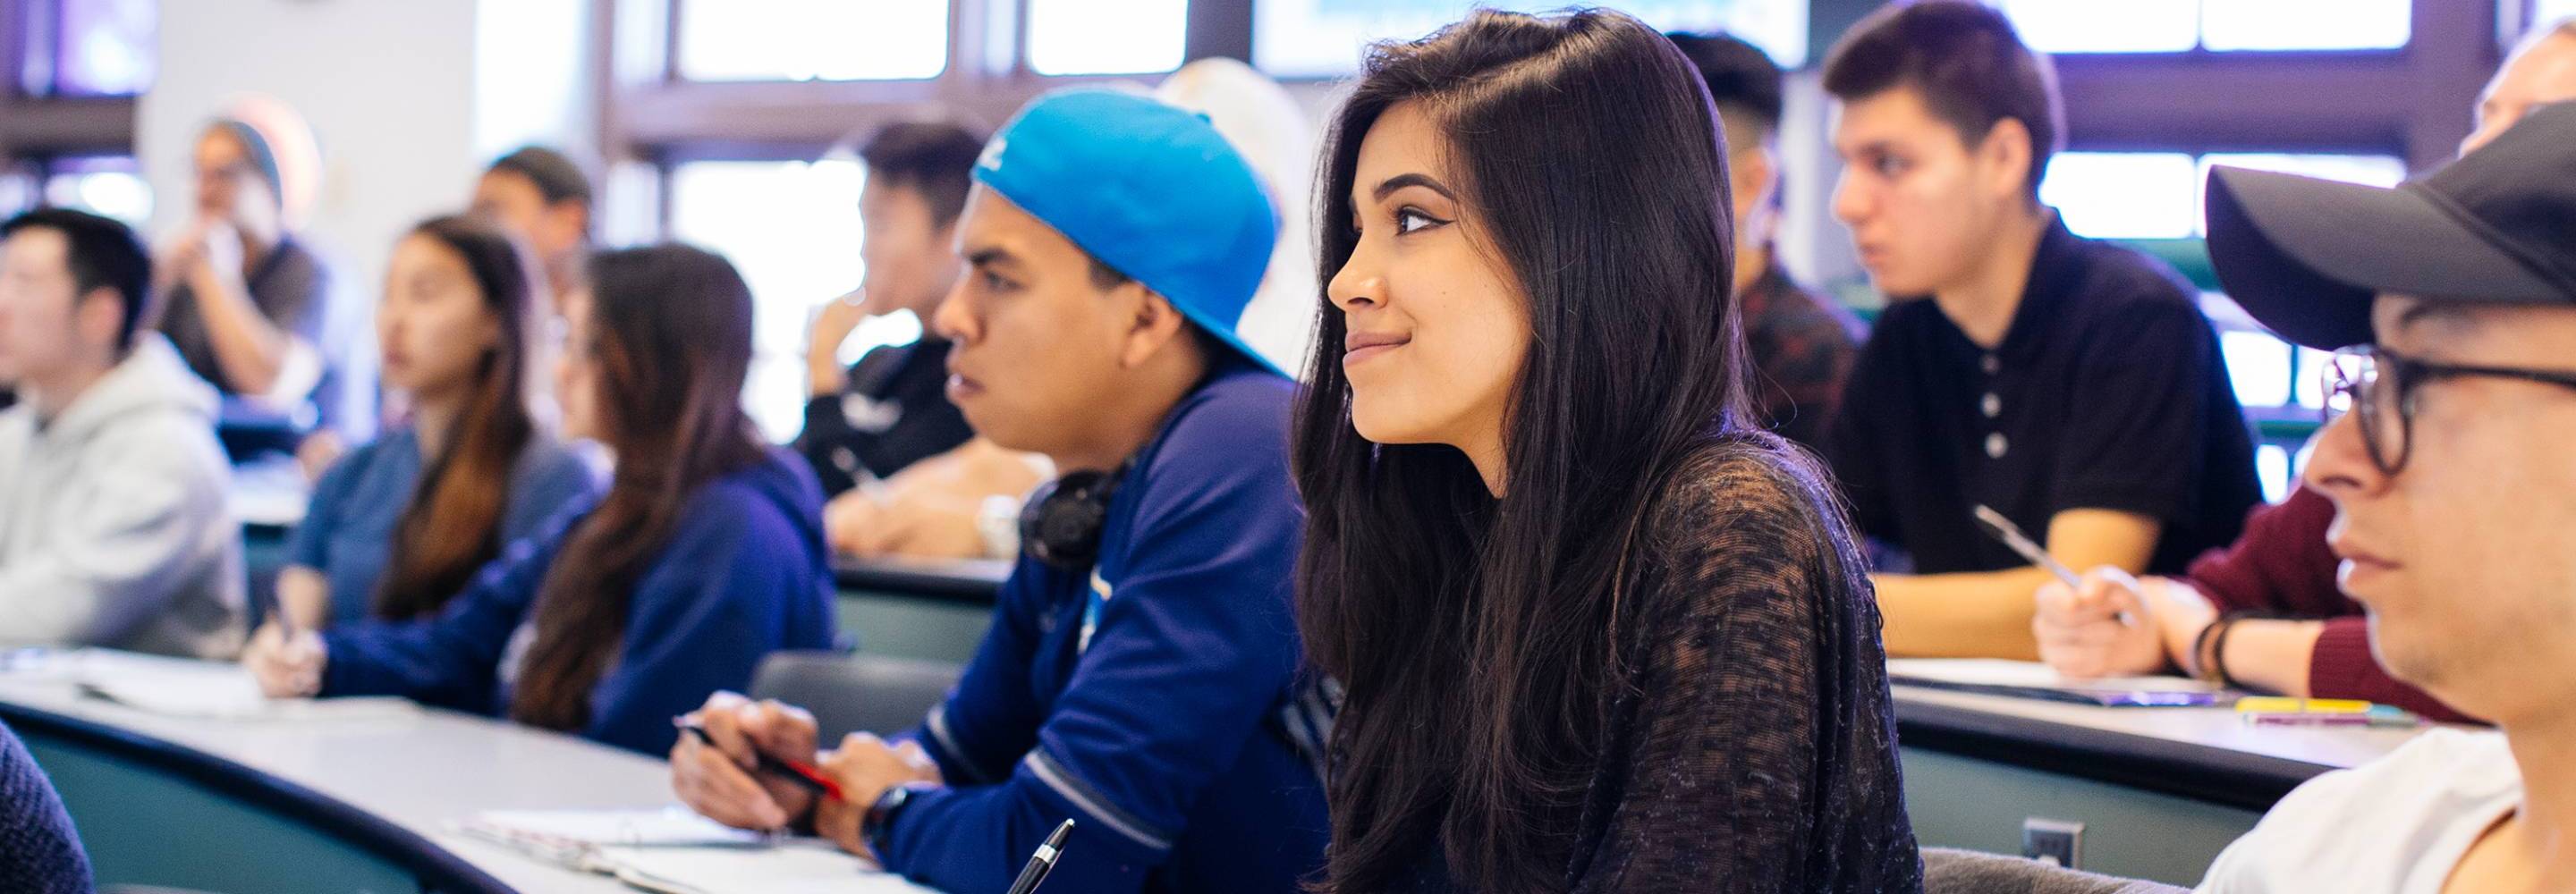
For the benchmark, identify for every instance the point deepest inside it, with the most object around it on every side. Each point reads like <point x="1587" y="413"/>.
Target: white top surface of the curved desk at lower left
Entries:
<point x="413" y="769"/>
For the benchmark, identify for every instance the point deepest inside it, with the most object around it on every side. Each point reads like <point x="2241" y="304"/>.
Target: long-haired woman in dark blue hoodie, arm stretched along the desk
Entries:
<point x="699" y="560"/>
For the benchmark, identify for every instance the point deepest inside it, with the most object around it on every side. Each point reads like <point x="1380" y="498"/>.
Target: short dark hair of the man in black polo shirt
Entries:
<point x="1967" y="63"/>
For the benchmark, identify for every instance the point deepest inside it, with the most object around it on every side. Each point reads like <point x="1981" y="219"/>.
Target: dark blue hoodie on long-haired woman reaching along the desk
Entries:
<point x="746" y="573"/>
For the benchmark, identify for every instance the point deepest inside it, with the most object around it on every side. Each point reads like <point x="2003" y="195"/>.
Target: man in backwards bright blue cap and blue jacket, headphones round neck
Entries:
<point x="1140" y="676"/>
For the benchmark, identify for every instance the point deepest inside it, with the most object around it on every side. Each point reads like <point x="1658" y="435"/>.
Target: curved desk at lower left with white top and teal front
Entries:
<point x="316" y="805"/>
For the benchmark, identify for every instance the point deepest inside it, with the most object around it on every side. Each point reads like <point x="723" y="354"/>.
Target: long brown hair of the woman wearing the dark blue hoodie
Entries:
<point x="674" y="339"/>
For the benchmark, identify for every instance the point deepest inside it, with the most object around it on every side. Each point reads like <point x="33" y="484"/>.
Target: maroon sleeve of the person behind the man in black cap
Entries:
<point x="2281" y="566"/>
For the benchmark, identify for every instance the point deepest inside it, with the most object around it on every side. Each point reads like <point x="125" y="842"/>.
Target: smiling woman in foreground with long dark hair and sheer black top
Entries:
<point x="1593" y="627"/>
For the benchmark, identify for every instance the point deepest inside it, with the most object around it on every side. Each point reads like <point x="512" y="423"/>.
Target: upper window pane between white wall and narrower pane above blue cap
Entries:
<point x="813" y="40"/>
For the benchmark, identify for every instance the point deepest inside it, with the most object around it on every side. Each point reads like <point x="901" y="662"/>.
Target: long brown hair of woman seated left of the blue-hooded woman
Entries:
<point x="452" y="527"/>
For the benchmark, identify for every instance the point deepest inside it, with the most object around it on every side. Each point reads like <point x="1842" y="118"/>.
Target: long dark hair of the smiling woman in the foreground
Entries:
<point x="1472" y="635"/>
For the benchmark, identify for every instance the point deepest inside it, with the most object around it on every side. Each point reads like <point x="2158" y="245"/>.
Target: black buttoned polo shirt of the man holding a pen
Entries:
<point x="2108" y="393"/>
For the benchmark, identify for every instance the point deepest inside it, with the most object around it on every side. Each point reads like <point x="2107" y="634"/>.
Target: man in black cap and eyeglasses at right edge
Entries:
<point x="2454" y="501"/>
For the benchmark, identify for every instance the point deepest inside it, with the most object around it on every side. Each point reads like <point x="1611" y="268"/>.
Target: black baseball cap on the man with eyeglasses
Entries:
<point x="2309" y="256"/>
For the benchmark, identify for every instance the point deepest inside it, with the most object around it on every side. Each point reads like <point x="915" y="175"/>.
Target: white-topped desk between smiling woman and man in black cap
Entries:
<point x="2160" y="790"/>
